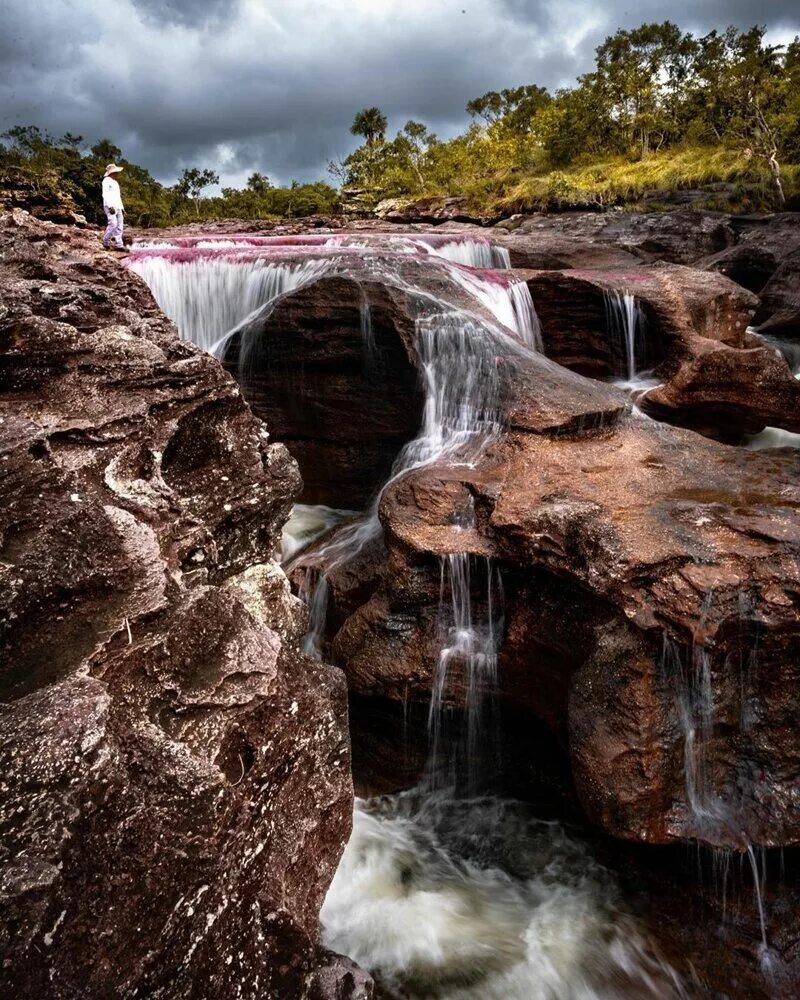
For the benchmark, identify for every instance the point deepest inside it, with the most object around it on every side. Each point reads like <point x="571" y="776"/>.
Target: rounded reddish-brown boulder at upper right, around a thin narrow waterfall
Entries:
<point x="715" y="377"/>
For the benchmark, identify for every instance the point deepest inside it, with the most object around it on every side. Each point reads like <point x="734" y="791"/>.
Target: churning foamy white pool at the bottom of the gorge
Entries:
<point x="477" y="900"/>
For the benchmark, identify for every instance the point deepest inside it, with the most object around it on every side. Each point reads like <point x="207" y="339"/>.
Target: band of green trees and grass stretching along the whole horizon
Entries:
<point x="662" y="111"/>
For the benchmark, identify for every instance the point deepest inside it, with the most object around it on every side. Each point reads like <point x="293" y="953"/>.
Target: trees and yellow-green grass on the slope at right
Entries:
<point x="661" y="111"/>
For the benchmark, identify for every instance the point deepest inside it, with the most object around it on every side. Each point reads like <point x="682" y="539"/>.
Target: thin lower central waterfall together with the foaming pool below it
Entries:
<point x="448" y="891"/>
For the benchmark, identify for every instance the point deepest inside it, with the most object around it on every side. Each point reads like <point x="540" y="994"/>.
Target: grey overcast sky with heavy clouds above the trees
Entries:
<point x="272" y="85"/>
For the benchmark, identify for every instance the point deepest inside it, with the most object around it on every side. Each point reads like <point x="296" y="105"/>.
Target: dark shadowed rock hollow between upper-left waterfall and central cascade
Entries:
<point x="315" y="372"/>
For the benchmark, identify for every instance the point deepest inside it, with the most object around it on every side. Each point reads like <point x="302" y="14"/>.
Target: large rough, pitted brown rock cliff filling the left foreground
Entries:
<point x="176" y="787"/>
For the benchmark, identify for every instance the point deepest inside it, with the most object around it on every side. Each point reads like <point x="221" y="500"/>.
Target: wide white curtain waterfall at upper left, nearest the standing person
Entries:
<point x="208" y="296"/>
